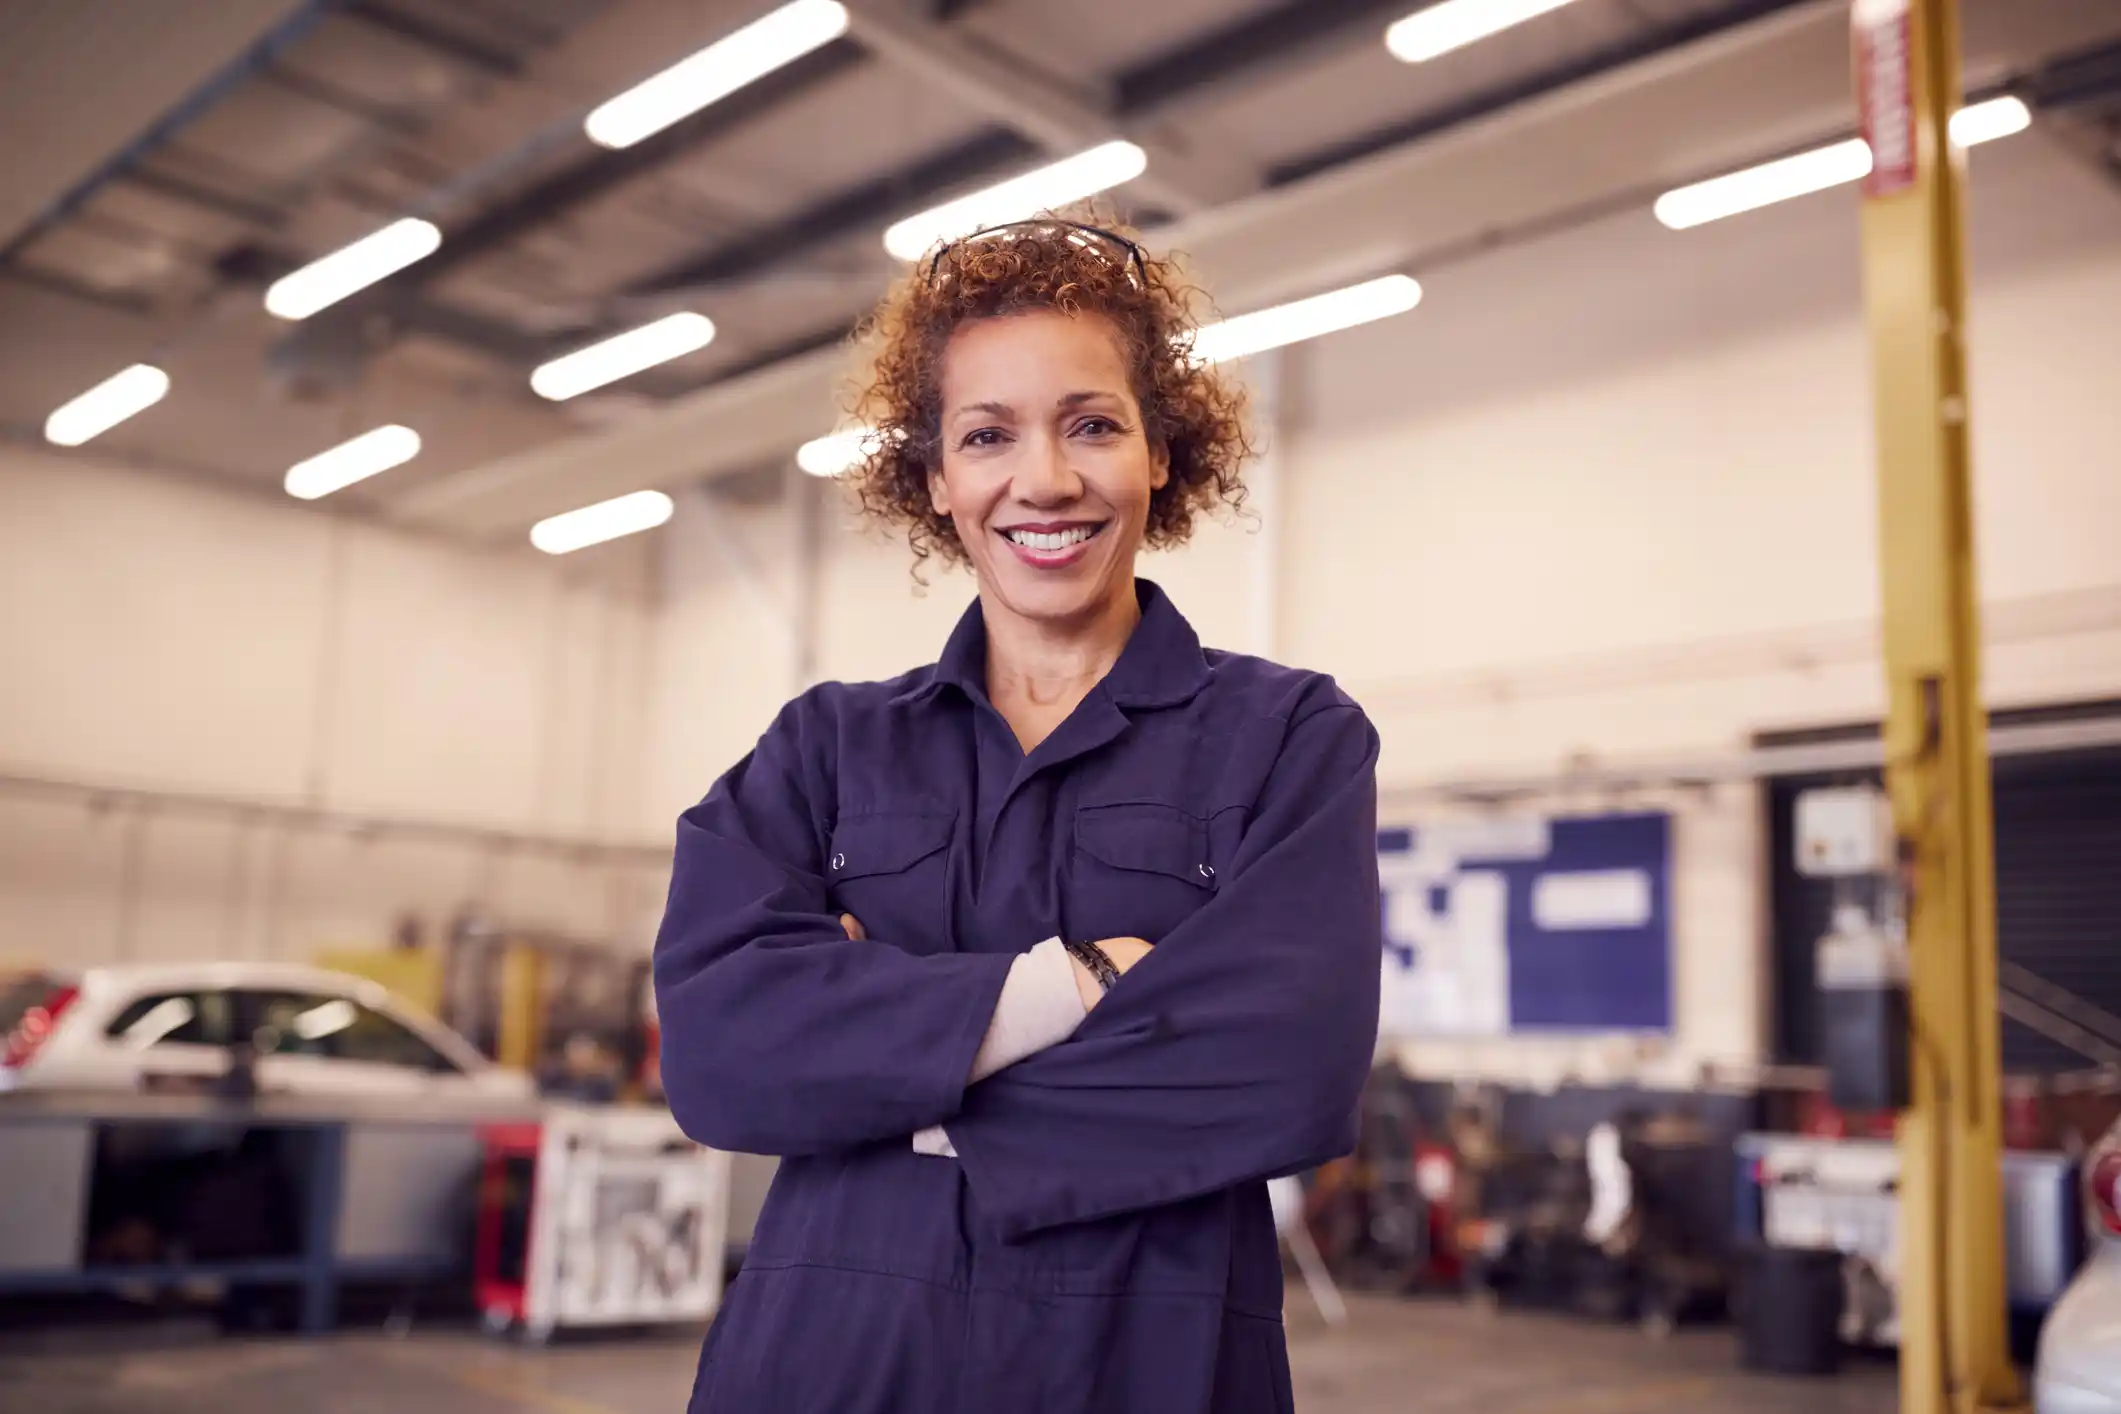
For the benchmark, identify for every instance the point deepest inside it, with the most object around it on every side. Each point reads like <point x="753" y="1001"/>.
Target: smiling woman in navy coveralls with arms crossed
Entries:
<point x="1036" y="964"/>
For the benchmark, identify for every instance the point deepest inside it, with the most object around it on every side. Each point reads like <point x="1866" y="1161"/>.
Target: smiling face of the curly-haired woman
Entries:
<point x="1047" y="467"/>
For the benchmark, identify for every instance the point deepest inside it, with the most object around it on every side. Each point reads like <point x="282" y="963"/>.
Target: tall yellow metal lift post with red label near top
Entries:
<point x="1955" y="1349"/>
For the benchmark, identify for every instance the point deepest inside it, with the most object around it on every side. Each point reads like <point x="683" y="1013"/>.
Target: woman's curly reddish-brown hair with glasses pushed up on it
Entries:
<point x="1045" y="264"/>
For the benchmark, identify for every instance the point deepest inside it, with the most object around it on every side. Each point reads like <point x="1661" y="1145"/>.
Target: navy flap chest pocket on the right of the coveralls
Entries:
<point x="1140" y="870"/>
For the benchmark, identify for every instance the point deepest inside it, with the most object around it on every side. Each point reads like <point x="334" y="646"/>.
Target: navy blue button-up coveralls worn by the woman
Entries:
<point x="1104" y="1241"/>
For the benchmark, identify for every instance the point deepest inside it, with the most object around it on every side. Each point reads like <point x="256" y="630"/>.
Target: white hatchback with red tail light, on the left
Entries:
<point x="171" y="1029"/>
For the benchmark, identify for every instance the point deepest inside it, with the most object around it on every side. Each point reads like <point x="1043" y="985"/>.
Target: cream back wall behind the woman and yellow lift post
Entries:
<point x="1609" y="495"/>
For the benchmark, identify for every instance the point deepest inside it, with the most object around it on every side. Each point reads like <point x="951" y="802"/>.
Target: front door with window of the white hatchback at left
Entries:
<point x="321" y="1044"/>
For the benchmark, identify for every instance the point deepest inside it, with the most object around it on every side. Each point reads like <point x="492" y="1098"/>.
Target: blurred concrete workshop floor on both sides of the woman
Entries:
<point x="1392" y="1356"/>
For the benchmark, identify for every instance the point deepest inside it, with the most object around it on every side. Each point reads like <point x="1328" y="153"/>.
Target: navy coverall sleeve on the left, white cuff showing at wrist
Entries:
<point x="779" y="1036"/>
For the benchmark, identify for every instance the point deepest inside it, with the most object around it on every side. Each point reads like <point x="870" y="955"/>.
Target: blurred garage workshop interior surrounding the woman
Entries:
<point x="364" y="643"/>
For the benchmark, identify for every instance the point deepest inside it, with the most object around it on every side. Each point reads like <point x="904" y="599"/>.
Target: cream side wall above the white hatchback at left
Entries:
<point x="181" y="641"/>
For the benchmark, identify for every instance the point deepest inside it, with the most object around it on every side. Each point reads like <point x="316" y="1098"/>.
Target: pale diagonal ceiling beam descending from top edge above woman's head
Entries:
<point x="1040" y="107"/>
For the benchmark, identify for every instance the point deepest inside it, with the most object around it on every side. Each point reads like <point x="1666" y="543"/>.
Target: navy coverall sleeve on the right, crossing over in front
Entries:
<point x="1238" y="1050"/>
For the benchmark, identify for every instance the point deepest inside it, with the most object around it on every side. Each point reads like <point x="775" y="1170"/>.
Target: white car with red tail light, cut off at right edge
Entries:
<point x="2080" y="1366"/>
